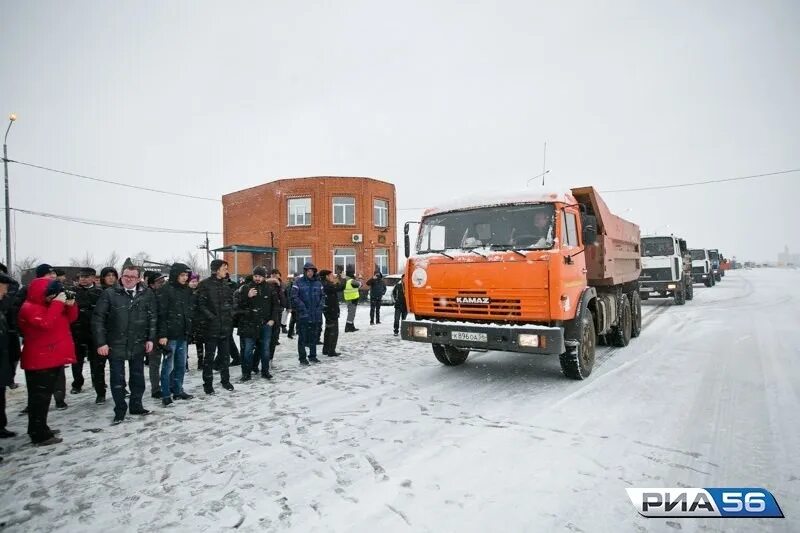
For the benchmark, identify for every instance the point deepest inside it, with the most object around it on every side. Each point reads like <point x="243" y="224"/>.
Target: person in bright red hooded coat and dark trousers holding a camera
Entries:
<point x="44" y="321"/>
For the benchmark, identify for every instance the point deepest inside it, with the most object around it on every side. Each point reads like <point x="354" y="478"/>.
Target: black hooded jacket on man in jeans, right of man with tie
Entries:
<point x="175" y="306"/>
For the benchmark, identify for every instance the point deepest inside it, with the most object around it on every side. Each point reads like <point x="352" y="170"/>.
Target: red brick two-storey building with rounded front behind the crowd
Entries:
<point x="327" y="220"/>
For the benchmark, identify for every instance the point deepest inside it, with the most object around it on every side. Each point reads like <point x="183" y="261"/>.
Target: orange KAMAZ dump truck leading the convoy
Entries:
<point x="538" y="273"/>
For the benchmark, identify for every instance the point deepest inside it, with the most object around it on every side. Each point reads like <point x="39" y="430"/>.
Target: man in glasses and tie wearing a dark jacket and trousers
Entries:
<point x="124" y="325"/>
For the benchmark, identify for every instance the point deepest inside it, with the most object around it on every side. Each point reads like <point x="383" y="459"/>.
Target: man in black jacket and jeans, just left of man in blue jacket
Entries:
<point x="258" y="310"/>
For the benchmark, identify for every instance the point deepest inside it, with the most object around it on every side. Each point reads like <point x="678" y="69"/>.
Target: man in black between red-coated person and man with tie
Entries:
<point x="86" y="296"/>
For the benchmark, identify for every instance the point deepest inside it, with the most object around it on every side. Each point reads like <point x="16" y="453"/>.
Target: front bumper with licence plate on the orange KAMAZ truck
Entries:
<point x="525" y="339"/>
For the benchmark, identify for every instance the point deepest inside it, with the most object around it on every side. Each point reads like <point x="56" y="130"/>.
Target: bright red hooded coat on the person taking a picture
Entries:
<point x="46" y="330"/>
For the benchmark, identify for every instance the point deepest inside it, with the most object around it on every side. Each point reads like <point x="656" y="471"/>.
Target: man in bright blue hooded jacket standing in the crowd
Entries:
<point x="307" y="302"/>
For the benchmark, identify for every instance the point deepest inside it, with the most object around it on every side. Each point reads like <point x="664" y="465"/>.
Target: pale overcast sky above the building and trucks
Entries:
<point x="441" y="98"/>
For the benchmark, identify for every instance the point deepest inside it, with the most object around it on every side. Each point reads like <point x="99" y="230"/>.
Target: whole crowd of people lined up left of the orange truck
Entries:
<point x="146" y="319"/>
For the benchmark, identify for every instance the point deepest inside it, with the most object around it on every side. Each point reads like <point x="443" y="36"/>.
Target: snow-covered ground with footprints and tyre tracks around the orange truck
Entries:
<point x="387" y="439"/>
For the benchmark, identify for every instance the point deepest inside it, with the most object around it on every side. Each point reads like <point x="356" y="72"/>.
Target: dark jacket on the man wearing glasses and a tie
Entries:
<point x="123" y="324"/>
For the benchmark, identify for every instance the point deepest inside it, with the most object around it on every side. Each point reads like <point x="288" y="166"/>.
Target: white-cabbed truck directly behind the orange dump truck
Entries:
<point x="666" y="269"/>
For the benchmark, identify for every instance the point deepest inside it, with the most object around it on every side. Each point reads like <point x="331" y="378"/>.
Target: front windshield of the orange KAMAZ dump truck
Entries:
<point x="528" y="226"/>
